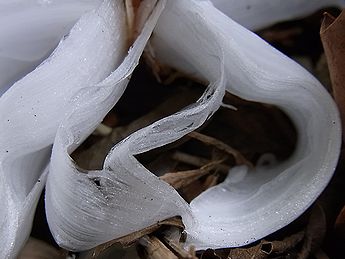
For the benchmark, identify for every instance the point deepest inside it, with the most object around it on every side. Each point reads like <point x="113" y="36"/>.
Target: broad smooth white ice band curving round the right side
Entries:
<point x="239" y="212"/>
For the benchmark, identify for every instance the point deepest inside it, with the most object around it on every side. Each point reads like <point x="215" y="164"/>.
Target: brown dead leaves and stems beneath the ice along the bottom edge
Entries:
<point x="164" y="240"/>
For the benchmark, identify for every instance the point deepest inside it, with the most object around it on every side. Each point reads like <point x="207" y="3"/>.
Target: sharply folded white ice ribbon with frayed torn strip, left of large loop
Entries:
<point x="87" y="208"/>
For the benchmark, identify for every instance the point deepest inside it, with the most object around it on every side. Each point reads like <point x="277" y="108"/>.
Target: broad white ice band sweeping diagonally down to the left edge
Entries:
<point x="32" y="109"/>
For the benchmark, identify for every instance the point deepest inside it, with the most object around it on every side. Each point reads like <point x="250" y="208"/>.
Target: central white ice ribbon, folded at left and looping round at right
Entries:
<point x="86" y="208"/>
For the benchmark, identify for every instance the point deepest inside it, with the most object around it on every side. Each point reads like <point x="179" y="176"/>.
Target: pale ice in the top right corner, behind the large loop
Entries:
<point x="256" y="14"/>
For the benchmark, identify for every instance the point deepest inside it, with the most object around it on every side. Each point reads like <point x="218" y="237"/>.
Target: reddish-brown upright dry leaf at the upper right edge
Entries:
<point x="332" y="34"/>
